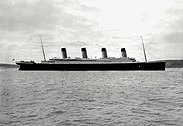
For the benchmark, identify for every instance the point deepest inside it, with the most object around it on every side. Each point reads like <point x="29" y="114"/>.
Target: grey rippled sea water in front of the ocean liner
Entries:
<point x="101" y="98"/>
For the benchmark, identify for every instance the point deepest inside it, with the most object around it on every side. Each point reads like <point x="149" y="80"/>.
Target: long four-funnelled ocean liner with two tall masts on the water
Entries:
<point x="86" y="64"/>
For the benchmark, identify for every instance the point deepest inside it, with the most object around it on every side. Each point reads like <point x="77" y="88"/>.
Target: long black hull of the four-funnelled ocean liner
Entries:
<point x="95" y="67"/>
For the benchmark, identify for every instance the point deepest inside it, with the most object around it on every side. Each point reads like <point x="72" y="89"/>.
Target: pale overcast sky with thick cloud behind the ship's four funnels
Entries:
<point x="93" y="24"/>
